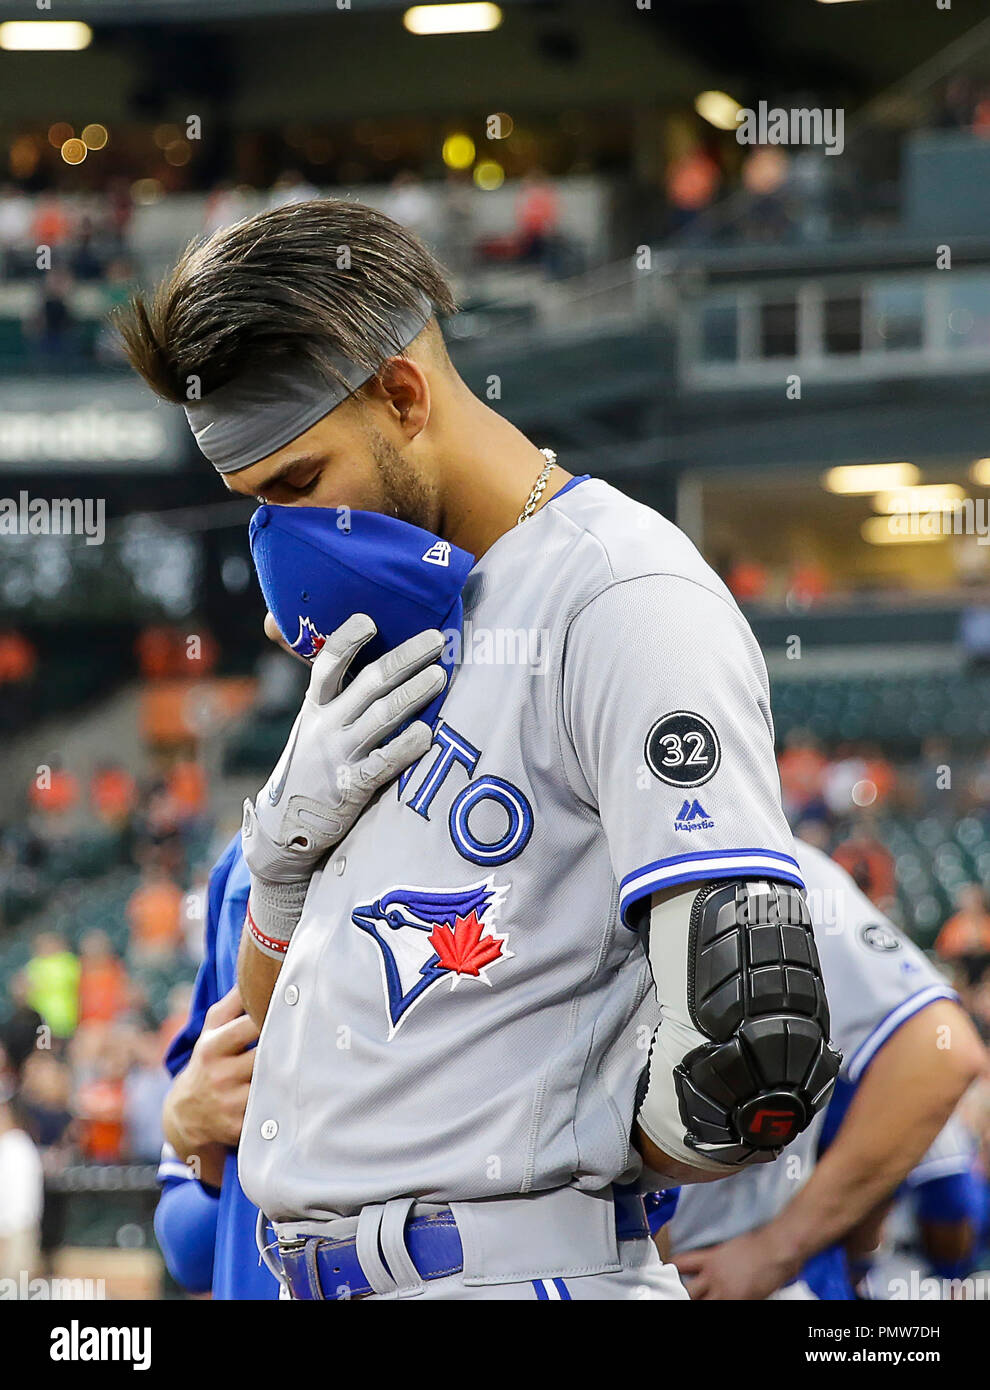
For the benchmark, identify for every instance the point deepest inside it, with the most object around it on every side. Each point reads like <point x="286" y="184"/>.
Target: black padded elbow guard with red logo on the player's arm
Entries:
<point x="756" y="990"/>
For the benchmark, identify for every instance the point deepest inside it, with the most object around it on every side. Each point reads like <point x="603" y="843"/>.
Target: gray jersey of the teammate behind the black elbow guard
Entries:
<point x="875" y="981"/>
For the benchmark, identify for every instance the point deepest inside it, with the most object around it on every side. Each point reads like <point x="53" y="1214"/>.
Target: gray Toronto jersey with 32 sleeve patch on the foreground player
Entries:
<point x="466" y="1004"/>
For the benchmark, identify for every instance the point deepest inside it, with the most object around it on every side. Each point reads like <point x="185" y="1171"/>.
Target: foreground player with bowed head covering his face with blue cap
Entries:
<point x="549" y="935"/>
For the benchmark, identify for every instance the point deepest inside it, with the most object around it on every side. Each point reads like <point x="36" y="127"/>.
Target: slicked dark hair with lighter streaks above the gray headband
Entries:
<point x="302" y="283"/>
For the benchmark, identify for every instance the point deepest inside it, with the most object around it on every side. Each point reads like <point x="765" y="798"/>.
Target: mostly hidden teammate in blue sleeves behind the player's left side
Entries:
<point x="206" y="1225"/>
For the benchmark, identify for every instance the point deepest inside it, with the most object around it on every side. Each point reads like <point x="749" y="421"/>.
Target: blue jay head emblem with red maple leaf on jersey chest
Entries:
<point x="426" y="938"/>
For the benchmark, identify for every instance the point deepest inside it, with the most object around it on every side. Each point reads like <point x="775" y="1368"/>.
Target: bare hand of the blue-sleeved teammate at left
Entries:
<point x="209" y="1097"/>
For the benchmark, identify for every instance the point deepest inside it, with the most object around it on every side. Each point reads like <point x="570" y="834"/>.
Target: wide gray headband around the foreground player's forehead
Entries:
<point x="262" y="412"/>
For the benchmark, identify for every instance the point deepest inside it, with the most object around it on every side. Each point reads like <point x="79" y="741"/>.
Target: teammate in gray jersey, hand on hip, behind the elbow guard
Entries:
<point x="910" y="1053"/>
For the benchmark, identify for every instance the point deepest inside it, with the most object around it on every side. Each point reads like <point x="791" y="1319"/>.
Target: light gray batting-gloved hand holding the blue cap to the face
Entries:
<point x="334" y="762"/>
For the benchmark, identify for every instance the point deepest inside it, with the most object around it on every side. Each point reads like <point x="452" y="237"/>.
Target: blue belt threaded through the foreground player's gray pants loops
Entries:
<point x="325" y="1270"/>
